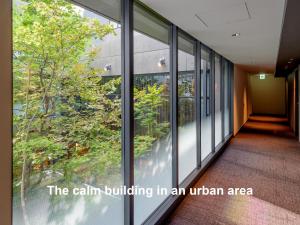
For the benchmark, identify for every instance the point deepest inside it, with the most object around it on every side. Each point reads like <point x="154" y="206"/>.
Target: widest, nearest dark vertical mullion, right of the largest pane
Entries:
<point x="127" y="107"/>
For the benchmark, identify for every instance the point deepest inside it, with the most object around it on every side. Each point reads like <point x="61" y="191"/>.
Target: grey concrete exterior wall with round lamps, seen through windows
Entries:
<point x="147" y="53"/>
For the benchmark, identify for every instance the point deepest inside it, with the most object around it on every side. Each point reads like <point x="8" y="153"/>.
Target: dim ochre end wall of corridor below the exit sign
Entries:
<point x="268" y="95"/>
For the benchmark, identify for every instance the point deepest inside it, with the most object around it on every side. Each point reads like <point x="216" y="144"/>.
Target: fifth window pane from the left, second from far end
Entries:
<point x="218" y="112"/>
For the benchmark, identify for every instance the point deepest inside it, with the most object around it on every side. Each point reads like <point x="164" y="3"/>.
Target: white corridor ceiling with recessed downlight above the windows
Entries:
<point x="213" y="22"/>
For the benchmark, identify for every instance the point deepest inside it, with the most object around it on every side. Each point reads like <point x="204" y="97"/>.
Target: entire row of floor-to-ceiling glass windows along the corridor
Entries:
<point x="67" y="127"/>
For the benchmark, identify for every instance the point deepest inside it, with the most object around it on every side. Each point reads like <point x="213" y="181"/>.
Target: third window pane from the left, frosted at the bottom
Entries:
<point x="187" y="150"/>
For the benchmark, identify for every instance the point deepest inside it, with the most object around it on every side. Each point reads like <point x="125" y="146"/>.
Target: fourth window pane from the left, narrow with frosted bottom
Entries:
<point x="206" y="101"/>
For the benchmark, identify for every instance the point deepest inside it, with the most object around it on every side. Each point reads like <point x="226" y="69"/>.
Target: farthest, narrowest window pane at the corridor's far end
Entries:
<point x="226" y="98"/>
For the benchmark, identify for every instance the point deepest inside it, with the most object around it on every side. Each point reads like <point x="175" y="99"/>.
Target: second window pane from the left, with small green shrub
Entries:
<point x="152" y="134"/>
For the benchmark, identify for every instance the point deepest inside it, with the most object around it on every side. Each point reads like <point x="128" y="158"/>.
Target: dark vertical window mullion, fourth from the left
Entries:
<point x="213" y="101"/>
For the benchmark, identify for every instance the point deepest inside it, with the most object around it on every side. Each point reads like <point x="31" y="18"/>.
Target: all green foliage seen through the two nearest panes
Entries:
<point x="68" y="121"/>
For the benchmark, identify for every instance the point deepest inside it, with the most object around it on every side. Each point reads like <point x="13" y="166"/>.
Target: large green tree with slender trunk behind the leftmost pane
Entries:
<point x="53" y="76"/>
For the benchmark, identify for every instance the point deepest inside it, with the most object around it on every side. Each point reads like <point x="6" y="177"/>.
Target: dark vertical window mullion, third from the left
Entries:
<point x="198" y="102"/>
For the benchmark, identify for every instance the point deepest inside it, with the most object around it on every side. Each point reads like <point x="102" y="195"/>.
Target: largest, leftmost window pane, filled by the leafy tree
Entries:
<point x="67" y="113"/>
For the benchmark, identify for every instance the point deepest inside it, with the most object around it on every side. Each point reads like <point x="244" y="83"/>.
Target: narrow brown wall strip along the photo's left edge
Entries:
<point x="5" y="111"/>
